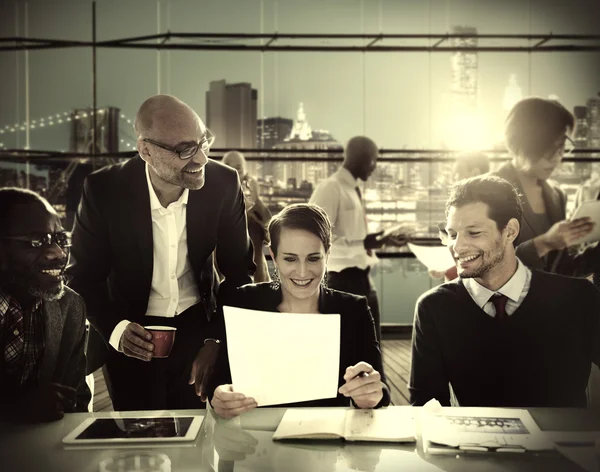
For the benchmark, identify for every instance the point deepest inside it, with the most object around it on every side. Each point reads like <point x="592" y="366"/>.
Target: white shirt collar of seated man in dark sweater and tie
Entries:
<point x="515" y="289"/>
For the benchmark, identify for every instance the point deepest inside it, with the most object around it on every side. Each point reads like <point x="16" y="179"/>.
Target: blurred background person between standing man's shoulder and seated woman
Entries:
<point x="258" y="213"/>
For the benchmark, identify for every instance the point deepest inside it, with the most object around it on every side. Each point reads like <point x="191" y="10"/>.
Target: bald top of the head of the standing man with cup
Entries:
<point x="161" y="110"/>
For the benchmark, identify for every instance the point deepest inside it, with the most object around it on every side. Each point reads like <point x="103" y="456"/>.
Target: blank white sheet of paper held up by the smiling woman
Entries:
<point x="283" y="357"/>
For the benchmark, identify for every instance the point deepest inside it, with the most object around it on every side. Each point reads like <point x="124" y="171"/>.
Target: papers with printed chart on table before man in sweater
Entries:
<point x="482" y="429"/>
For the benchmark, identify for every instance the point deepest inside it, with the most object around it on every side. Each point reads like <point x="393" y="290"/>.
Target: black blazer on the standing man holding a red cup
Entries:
<point x="112" y="254"/>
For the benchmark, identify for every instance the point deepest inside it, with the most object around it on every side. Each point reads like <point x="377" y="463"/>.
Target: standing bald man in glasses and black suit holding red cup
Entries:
<point x="143" y="240"/>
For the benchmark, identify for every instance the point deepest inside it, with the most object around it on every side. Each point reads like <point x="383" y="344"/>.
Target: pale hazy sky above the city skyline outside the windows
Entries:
<point x="398" y="99"/>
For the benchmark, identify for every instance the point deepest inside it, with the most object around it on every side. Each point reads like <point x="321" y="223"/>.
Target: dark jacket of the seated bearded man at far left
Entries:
<point x="63" y="361"/>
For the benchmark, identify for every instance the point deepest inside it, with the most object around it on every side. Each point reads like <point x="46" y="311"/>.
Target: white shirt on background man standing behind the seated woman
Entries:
<point x="337" y="196"/>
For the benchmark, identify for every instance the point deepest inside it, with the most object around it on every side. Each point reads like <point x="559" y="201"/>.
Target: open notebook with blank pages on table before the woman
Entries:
<point x="393" y="424"/>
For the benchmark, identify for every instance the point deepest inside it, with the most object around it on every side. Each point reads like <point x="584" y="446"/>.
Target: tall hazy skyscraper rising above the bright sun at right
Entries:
<point x="463" y="64"/>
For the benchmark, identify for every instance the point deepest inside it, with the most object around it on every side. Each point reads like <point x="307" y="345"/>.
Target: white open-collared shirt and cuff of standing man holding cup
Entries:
<point x="173" y="289"/>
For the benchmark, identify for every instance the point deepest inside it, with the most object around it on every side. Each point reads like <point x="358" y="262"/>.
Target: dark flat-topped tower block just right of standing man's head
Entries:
<point x="231" y="114"/>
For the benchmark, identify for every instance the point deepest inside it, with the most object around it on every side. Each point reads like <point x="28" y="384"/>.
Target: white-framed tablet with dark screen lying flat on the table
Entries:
<point x="135" y="430"/>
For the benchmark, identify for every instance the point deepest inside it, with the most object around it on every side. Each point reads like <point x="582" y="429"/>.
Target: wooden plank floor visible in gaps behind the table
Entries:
<point x="396" y="364"/>
